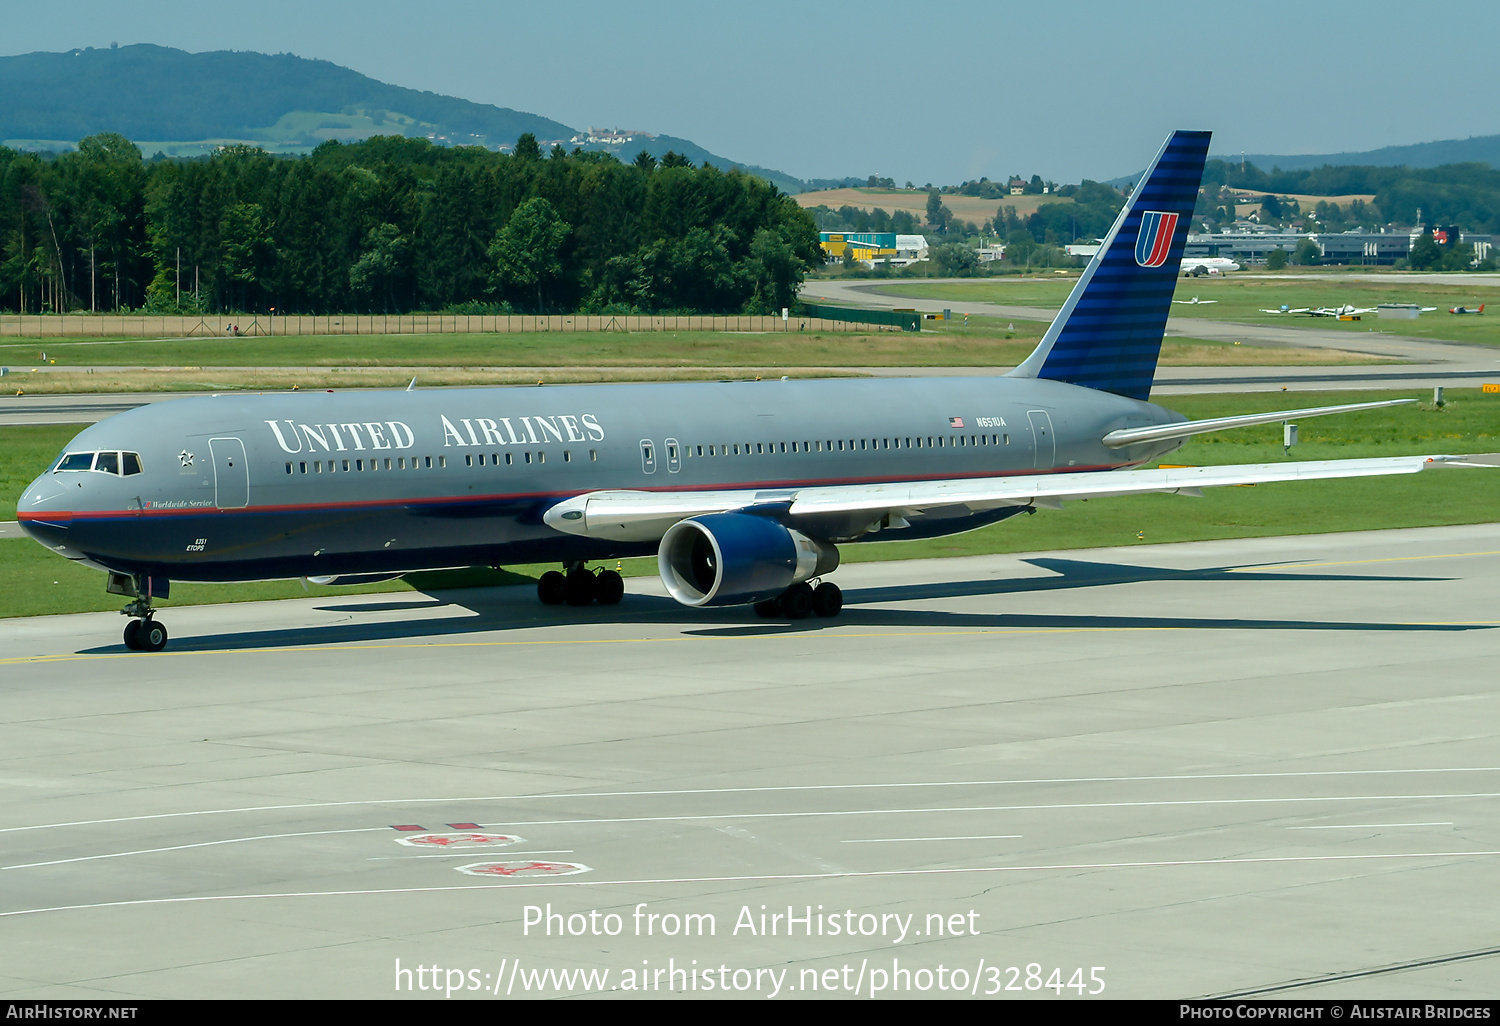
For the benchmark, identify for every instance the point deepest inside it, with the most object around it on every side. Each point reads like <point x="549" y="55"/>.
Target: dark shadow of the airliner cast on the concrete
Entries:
<point x="508" y="610"/>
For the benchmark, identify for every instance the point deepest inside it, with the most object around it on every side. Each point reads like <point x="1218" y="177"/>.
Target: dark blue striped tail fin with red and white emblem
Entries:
<point x="1109" y="334"/>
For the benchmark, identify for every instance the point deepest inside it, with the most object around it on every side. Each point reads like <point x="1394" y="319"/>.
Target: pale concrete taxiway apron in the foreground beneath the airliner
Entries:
<point x="1264" y="767"/>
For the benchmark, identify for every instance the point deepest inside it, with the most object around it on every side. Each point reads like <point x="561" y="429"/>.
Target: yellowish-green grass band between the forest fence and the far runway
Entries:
<point x="386" y="362"/>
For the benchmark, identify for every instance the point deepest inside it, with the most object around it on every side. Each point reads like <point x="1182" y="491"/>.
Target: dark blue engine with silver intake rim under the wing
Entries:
<point x="733" y="559"/>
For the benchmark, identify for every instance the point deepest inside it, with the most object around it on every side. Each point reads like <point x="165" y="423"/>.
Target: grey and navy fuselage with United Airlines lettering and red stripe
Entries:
<point x="257" y="487"/>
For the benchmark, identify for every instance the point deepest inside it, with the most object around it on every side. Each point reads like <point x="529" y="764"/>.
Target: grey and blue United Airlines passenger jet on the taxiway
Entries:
<point x="743" y="490"/>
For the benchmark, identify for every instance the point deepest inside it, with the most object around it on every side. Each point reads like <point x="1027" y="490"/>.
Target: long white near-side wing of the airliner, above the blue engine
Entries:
<point x="641" y="517"/>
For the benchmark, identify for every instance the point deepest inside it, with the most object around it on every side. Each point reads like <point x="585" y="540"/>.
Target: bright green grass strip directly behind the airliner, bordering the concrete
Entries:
<point x="34" y="581"/>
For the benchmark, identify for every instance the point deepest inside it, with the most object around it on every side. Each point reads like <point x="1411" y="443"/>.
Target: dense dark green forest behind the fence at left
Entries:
<point x="394" y="226"/>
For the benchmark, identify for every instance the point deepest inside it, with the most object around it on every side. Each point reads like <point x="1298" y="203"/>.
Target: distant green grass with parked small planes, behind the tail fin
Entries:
<point x="1241" y="301"/>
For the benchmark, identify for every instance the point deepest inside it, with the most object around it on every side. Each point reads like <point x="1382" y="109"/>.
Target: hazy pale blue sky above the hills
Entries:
<point x="916" y="92"/>
